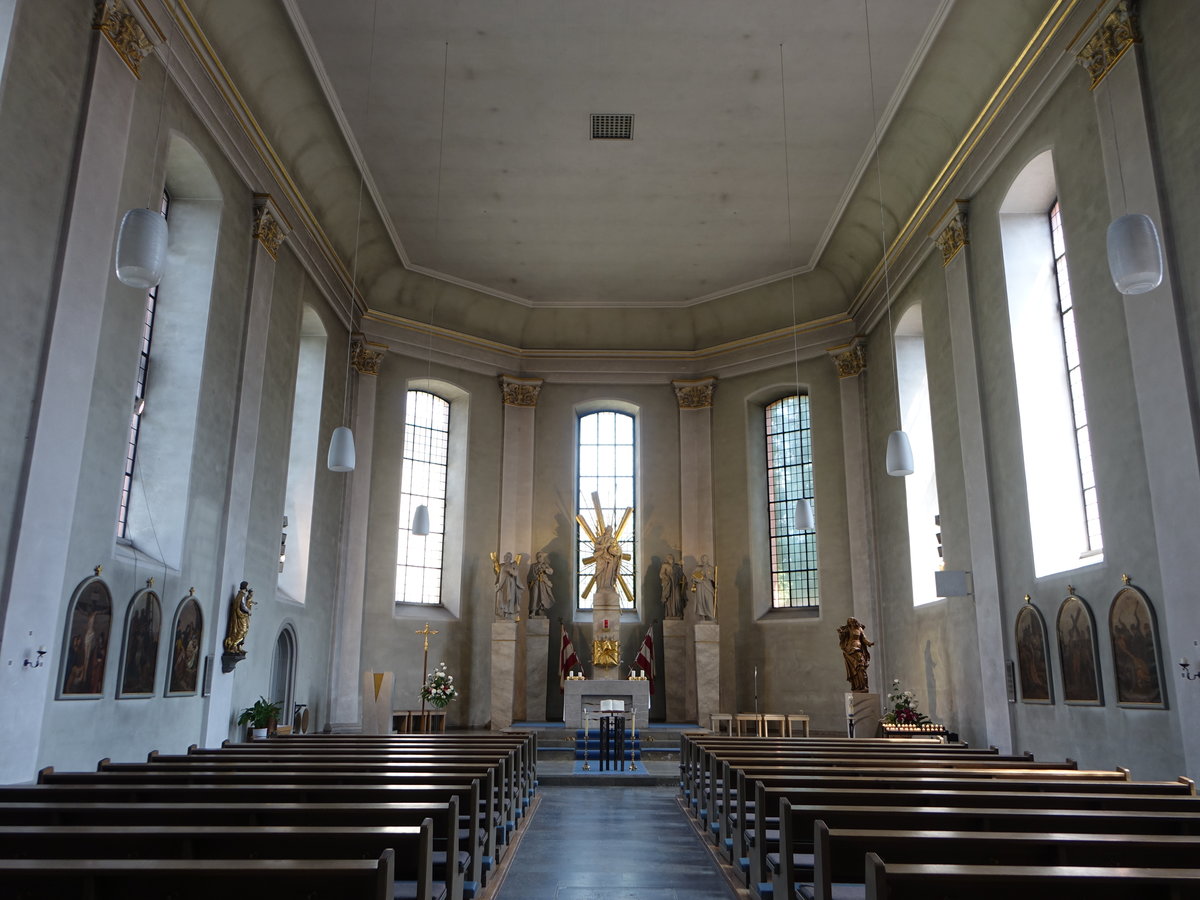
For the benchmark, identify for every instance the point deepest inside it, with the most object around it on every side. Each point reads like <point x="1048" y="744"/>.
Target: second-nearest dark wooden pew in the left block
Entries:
<point x="412" y="847"/>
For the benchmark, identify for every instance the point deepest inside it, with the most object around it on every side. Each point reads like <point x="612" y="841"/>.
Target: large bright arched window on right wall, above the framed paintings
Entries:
<point x="1065" y="520"/>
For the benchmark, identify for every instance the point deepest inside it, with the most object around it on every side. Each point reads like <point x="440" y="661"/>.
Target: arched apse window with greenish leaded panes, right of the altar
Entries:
<point x="794" y="554"/>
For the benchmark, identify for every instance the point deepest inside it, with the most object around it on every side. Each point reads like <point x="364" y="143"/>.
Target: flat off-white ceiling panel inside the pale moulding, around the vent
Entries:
<point x="694" y="207"/>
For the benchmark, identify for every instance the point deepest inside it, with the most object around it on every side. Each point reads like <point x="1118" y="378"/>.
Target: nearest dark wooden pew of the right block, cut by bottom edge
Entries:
<point x="993" y="883"/>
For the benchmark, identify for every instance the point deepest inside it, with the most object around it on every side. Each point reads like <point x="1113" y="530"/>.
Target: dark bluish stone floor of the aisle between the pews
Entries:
<point x="611" y="844"/>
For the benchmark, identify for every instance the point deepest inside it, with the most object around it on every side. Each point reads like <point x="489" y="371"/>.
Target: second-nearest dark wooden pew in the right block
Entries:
<point x="839" y="855"/>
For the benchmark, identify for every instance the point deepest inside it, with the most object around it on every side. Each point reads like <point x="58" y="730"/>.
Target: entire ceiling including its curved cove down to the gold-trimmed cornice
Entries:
<point x="470" y="123"/>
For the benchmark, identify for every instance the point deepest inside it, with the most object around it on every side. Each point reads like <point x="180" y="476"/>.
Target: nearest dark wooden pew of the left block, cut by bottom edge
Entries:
<point x="200" y="879"/>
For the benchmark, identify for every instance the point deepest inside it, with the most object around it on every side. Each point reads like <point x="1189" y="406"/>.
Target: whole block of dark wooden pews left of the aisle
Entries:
<point x="412" y="818"/>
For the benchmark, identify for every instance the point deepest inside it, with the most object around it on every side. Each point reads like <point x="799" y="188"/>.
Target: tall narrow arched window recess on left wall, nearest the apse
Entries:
<point x="303" y="455"/>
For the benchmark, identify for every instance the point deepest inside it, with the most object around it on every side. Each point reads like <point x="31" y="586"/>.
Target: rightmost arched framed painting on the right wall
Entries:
<point x="1137" y="659"/>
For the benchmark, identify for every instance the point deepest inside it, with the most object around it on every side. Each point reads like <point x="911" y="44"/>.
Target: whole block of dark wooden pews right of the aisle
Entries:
<point x="839" y="819"/>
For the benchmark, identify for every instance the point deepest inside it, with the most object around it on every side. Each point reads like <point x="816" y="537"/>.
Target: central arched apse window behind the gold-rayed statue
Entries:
<point x="608" y="466"/>
